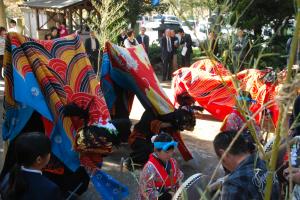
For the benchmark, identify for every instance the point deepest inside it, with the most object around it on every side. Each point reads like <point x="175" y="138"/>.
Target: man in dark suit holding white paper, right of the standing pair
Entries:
<point x="187" y="50"/>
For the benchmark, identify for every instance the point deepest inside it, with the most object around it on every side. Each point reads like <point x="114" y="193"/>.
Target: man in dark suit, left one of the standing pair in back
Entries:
<point x="167" y="46"/>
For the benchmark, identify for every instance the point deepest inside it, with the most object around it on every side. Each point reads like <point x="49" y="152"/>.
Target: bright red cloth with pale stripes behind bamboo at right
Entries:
<point x="211" y="85"/>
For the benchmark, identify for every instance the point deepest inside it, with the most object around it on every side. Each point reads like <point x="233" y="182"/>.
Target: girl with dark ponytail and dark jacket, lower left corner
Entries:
<point x="26" y="180"/>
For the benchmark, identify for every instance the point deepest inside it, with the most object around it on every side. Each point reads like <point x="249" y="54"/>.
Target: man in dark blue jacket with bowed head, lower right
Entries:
<point x="247" y="177"/>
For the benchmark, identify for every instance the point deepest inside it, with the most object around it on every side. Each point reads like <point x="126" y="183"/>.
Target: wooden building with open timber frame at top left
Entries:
<point x="41" y="15"/>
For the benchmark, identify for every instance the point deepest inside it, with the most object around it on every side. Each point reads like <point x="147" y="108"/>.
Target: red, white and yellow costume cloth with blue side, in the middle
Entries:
<point x="131" y="69"/>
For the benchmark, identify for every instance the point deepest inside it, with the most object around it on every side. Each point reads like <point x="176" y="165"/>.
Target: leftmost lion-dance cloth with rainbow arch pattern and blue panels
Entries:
<point x="44" y="76"/>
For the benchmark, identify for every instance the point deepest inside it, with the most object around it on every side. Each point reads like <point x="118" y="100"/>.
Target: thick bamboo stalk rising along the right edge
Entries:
<point x="278" y="132"/>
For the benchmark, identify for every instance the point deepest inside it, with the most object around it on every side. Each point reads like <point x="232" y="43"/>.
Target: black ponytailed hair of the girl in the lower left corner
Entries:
<point x="28" y="147"/>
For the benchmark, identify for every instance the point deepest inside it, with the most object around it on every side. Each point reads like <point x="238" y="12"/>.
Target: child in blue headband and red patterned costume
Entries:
<point x="161" y="176"/>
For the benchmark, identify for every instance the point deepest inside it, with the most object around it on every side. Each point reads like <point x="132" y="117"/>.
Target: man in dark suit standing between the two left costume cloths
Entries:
<point x="92" y="48"/>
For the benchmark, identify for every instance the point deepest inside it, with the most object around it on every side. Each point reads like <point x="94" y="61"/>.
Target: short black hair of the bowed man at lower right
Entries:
<point x="241" y="145"/>
